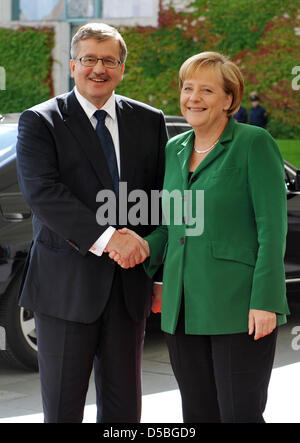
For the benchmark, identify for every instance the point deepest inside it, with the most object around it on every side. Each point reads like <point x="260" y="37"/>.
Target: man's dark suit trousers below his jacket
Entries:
<point x="67" y="352"/>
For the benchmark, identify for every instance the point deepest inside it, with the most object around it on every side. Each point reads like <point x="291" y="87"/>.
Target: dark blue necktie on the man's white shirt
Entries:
<point x="107" y="145"/>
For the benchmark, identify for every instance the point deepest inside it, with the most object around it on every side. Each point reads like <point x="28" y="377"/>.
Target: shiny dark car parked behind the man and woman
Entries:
<point x="17" y="330"/>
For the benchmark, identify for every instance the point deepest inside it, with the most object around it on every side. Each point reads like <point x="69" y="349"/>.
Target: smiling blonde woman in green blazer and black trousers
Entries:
<point x="223" y="279"/>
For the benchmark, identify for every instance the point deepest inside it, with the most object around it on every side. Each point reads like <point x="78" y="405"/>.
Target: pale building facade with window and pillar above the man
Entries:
<point x="65" y="16"/>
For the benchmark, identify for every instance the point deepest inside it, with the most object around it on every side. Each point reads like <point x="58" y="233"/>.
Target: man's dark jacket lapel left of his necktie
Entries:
<point x="81" y="128"/>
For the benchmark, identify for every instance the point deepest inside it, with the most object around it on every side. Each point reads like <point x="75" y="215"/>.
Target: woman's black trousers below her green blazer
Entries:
<point x="222" y="378"/>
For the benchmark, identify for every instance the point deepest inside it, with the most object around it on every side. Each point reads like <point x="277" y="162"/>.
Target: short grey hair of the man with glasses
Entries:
<point x="100" y="32"/>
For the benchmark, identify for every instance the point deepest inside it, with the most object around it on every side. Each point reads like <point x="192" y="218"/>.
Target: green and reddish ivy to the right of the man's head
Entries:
<point x="259" y="35"/>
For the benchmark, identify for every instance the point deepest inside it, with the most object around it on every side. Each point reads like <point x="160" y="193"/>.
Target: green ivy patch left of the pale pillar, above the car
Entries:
<point x="25" y="54"/>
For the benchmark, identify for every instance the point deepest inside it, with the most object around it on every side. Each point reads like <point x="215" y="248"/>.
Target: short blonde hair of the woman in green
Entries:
<point x="233" y="82"/>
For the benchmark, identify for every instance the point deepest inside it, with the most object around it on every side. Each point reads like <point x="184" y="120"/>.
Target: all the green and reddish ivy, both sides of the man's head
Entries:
<point x="261" y="36"/>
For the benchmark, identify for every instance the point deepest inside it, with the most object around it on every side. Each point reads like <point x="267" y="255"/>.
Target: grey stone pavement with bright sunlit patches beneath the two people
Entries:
<point x="20" y="400"/>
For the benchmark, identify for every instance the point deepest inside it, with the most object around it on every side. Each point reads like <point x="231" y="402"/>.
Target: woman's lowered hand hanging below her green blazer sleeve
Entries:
<point x="261" y="322"/>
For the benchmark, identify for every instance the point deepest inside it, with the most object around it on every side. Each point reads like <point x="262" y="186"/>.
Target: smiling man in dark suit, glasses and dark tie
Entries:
<point x="87" y="309"/>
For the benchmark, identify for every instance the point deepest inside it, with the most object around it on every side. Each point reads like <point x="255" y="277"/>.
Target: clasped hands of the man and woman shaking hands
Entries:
<point x="127" y="248"/>
